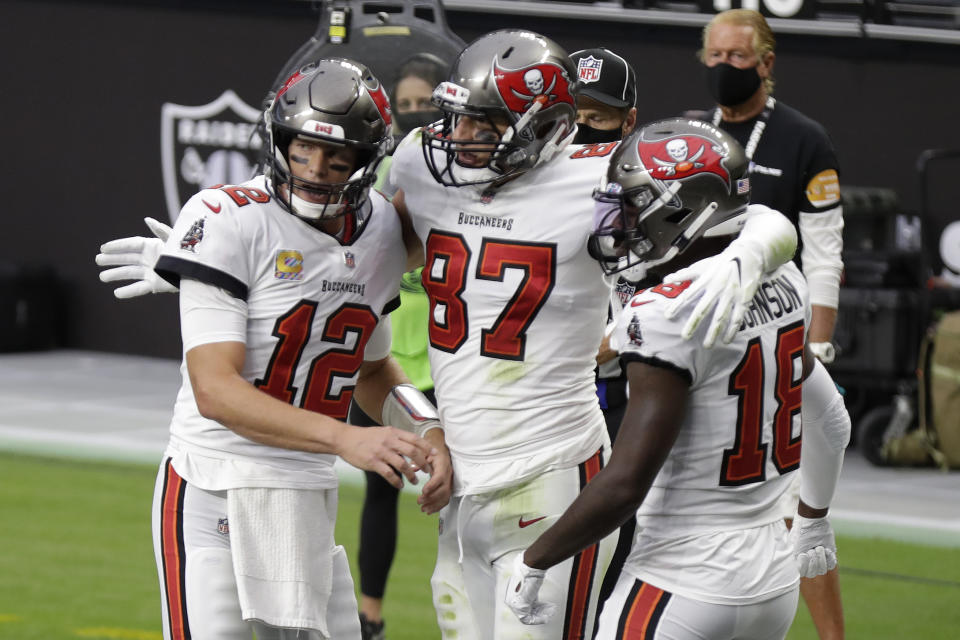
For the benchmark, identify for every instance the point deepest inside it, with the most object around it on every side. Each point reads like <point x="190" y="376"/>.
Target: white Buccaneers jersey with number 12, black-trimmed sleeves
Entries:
<point x="313" y="301"/>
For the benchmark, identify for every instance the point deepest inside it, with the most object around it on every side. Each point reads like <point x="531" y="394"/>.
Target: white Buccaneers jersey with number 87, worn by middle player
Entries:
<point x="518" y="309"/>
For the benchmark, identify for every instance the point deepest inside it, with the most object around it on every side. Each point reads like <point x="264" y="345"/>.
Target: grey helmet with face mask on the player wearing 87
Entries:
<point x="515" y="82"/>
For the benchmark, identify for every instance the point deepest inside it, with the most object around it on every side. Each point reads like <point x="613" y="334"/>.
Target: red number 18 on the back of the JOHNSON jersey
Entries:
<point x="745" y="462"/>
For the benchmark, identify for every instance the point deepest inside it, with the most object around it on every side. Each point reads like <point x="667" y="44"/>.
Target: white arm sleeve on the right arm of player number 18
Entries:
<point x="826" y="432"/>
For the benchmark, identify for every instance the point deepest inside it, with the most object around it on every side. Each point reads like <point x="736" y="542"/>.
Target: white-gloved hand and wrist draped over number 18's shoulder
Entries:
<point x="730" y="279"/>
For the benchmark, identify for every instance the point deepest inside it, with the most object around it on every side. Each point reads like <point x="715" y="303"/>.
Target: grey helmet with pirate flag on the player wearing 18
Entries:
<point x="667" y="185"/>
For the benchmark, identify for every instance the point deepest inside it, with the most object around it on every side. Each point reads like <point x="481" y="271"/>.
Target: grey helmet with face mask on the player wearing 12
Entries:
<point x="332" y="103"/>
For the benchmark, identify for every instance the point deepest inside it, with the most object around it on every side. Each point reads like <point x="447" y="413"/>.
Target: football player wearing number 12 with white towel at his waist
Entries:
<point x="285" y="282"/>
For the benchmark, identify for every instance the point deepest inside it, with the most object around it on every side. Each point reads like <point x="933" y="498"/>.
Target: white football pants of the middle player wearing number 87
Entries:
<point x="479" y="537"/>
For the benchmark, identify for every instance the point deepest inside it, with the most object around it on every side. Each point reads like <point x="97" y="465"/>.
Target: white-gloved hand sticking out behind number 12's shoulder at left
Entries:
<point x="134" y="259"/>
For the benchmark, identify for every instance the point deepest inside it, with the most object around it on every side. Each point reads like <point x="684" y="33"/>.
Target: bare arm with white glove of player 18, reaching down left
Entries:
<point x="658" y="401"/>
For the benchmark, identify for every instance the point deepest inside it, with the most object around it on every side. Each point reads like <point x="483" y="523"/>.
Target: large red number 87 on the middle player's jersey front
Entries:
<point x="445" y="278"/>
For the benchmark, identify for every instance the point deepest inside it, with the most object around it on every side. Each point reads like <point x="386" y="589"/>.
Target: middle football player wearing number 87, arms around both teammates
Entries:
<point x="501" y="204"/>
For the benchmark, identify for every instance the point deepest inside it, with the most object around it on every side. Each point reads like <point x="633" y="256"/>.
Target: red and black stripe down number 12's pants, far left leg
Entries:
<point x="172" y="551"/>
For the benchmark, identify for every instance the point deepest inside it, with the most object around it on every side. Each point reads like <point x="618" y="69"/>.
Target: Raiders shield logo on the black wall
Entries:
<point x="215" y="143"/>
